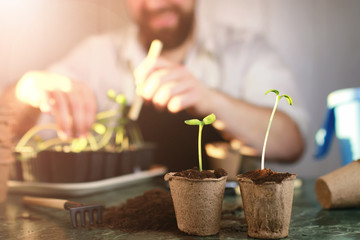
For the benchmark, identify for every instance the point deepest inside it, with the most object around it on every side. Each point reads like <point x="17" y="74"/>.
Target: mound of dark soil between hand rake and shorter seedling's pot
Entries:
<point x="151" y="211"/>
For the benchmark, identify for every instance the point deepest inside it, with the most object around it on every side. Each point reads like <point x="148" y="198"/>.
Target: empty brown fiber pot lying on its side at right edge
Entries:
<point x="340" y="188"/>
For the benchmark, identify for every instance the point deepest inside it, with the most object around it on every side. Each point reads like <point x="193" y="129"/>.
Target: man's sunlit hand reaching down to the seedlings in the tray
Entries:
<point x="71" y="102"/>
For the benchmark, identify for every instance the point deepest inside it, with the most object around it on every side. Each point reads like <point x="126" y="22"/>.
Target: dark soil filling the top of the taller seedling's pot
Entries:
<point x="266" y="175"/>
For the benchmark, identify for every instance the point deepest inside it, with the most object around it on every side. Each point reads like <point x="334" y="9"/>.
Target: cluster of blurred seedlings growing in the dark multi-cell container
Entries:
<point x="110" y="128"/>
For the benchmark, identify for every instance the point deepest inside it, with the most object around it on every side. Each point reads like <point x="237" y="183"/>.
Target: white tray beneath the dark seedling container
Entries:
<point x="80" y="189"/>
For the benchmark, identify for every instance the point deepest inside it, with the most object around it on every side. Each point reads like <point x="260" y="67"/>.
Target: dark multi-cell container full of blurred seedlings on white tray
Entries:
<point x="113" y="147"/>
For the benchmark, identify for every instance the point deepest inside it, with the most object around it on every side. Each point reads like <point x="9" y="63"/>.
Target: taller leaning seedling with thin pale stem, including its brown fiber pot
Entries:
<point x="267" y="196"/>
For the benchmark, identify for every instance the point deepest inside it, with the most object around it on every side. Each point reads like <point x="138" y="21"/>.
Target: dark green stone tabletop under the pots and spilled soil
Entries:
<point x="308" y="220"/>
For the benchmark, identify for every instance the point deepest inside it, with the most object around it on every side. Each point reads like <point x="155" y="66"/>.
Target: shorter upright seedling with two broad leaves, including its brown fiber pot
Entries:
<point x="198" y="194"/>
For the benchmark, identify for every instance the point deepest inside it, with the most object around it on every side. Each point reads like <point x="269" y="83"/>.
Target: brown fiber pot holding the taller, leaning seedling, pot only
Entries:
<point x="267" y="207"/>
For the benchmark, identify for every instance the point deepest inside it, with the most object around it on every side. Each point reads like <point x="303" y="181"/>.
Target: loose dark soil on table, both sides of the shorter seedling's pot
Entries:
<point x="154" y="211"/>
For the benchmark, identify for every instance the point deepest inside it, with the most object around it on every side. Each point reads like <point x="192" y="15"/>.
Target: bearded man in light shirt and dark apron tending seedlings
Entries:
<point x="204" y="68"/>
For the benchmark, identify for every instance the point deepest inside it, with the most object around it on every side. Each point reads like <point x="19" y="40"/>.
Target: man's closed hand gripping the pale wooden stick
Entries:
<point x="172" y="86"/>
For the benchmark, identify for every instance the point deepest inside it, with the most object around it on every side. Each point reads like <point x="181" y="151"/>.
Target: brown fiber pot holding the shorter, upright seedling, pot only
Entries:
<point x="197" y="203"/>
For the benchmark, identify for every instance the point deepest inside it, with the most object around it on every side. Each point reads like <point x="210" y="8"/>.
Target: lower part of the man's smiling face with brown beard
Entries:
<point x="170" y="21"/>
